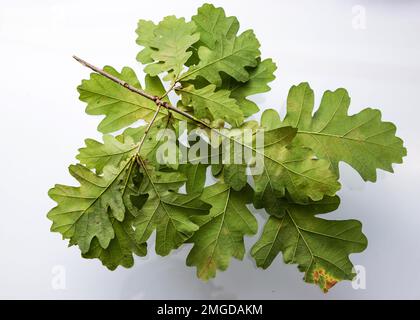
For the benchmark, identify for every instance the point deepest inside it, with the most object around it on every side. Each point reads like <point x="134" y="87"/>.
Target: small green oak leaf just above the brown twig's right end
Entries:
<point x="211" y="104"/>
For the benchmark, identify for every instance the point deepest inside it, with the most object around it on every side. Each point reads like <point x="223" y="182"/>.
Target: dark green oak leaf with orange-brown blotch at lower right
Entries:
<point x="319" y="247"/>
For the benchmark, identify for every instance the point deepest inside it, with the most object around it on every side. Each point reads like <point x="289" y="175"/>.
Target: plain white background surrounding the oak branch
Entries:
<point x="43" y="124"/>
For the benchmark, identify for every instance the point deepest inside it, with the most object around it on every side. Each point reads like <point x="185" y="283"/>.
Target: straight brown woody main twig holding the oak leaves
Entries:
<point x="158" y="101"/>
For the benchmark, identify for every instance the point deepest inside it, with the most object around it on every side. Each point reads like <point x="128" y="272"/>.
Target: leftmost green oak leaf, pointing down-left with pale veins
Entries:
<point x="85" y="212"/>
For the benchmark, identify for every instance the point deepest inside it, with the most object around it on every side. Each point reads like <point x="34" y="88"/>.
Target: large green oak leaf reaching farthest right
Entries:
<point x="361" y="140"/>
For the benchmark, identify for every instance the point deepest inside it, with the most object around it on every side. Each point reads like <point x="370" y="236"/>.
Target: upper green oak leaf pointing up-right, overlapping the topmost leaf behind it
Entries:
<point x="231" y="56"/>
